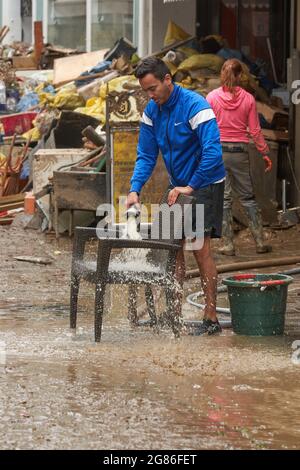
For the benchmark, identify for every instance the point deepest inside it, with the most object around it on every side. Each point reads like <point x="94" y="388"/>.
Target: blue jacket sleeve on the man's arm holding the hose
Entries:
<point x="147" y="153"/>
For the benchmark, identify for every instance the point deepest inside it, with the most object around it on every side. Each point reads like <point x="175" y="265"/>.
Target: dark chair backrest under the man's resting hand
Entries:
<point x="168" y="224"/>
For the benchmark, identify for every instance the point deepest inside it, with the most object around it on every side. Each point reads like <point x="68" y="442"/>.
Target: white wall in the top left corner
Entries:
<point x="11" y="17"/>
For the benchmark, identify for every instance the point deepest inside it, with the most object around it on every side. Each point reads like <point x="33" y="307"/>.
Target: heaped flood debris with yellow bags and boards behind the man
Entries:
<point x="51" y="108"/>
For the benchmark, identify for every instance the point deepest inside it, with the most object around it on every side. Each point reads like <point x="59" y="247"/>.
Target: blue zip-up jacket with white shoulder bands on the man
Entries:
<point x="185" y="130"/>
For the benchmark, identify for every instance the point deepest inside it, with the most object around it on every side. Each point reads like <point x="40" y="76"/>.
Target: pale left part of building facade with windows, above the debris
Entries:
<point x="88" y="25"/>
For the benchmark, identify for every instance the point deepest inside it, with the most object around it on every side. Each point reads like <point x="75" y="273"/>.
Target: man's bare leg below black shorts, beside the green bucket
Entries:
<point x="209" y="275"/>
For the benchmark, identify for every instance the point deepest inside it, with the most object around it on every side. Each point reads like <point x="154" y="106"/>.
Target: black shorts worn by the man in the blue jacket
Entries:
<point x="212" y="198"/>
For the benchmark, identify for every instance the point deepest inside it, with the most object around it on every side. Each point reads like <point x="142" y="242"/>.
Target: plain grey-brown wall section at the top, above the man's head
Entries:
<point x="181" y="12"/>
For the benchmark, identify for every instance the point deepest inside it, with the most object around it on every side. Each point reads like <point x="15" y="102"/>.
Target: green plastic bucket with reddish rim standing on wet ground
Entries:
<point x="258" y="303"/>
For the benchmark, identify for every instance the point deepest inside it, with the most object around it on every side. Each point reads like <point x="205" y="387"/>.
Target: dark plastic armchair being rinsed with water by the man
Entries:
<point x="101" y="272"/>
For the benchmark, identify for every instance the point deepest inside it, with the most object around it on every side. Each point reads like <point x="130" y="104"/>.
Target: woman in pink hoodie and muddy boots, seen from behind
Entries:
<point x="238" y="120"/>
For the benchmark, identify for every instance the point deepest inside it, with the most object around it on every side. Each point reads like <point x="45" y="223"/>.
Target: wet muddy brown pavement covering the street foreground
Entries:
<point x="137" y="389"/>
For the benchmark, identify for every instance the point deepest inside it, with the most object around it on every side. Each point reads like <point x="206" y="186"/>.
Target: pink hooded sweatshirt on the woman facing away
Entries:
<point x="237" y="117"/>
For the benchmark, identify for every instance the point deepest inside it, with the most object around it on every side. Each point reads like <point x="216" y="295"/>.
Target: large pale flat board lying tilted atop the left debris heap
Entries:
<point x="68" y="69"/>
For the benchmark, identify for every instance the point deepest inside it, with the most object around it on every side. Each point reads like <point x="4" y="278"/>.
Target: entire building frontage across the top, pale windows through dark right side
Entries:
<point x="265" y="29"/>
